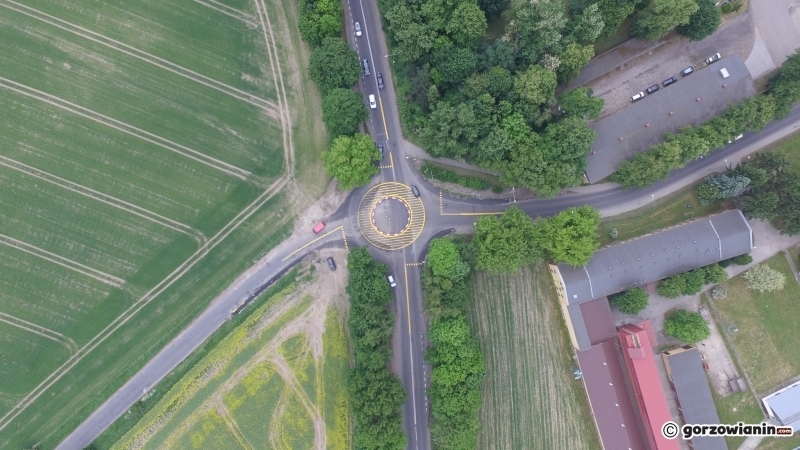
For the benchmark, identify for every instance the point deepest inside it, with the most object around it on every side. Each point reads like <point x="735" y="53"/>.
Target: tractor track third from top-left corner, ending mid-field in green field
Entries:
<point x="104" y="198"/>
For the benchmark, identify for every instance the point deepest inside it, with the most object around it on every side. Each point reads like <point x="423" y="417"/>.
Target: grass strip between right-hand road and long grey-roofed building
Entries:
<point x="663" y="213"/>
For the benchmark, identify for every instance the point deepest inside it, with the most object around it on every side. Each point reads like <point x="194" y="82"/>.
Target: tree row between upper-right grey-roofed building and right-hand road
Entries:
<point x="654" y="164"/>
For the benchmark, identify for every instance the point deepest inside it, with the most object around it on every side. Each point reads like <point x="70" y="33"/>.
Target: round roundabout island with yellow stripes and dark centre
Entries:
<point x="390" y="217"/>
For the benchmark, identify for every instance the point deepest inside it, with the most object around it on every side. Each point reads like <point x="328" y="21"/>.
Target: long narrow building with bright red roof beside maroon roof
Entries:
<point x="637" y="351"/>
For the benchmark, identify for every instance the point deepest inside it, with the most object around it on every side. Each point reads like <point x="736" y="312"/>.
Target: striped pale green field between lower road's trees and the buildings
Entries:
<point x="529" y="397"/>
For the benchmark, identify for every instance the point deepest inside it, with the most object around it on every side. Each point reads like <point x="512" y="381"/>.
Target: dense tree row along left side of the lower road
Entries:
<point x="376" y="394"/>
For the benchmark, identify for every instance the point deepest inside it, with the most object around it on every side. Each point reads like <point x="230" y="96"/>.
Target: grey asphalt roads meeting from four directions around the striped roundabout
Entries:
<point x="409" y="340"/>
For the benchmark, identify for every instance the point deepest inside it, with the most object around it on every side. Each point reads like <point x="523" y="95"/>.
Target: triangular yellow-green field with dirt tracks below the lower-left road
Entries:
<point x="277" y="381"/>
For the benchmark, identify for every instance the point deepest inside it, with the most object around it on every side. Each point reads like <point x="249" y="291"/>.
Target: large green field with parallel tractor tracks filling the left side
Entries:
<point x="150" y="150"/>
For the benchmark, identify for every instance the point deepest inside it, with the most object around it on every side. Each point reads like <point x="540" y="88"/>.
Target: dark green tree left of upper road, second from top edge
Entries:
<point x="334" y="65"/>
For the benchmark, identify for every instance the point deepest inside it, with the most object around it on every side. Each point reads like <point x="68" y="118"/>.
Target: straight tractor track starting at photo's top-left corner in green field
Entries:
<point x="268" y="106"/>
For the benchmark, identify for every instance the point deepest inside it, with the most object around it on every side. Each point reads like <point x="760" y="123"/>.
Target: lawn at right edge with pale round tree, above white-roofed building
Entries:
<point x="770" y="354"/>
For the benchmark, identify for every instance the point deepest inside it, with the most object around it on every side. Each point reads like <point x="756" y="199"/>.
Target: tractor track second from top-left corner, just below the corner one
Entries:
<point x="94" y="116"/>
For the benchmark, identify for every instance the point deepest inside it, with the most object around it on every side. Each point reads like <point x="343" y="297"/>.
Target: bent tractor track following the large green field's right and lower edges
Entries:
<point x="286" y="179"/>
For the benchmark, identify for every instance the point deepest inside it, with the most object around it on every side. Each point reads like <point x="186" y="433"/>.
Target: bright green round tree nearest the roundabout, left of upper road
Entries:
<point x="351" y="160"/>
